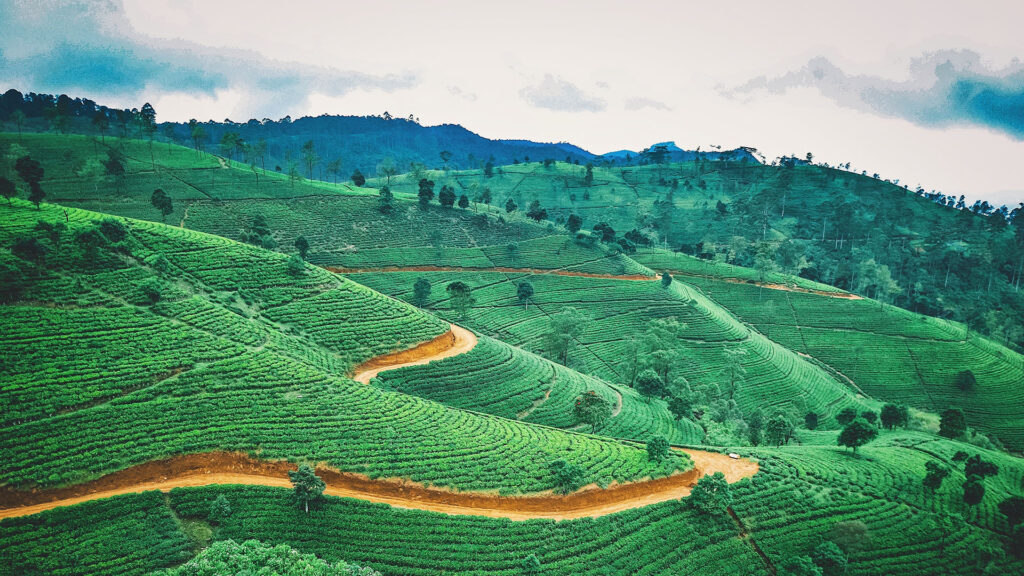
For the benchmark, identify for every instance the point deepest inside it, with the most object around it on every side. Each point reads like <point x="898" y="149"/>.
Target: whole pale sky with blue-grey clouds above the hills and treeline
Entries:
<point x="930" y="94"/>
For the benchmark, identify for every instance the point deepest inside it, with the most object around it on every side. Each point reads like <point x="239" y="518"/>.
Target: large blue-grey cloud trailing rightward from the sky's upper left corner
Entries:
<point x="91" y="49"/>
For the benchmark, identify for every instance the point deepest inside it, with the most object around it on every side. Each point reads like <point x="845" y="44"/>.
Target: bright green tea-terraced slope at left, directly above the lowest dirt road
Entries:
<point x="169" y="342"/>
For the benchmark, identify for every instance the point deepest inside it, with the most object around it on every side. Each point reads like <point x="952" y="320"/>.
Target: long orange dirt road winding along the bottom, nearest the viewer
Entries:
<point x="223" y="468"/>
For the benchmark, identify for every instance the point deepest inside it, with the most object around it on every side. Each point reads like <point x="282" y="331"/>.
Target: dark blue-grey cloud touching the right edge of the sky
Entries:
<point x="945" y="89"/>
